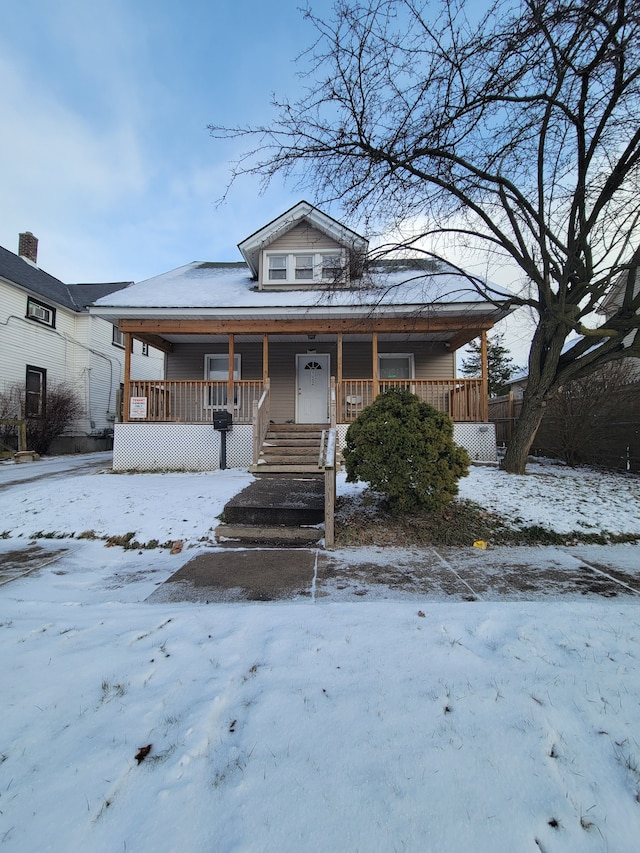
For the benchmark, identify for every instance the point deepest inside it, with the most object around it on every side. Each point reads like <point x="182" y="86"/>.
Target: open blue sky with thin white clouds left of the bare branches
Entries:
<point x="105" y="151"/>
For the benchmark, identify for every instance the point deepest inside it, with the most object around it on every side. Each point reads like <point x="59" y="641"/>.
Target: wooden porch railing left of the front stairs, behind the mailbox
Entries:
<point x="194" y="400"/>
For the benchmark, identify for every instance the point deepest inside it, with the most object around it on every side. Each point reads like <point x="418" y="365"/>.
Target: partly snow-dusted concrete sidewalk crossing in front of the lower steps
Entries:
<point x="463" y="574"/>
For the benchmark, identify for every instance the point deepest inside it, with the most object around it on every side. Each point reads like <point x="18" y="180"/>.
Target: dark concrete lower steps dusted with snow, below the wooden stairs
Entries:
<point x="279" y="509"/>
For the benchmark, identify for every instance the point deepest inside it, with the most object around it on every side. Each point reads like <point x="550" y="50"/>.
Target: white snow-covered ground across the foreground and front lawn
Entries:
<point x="306" y="726"/>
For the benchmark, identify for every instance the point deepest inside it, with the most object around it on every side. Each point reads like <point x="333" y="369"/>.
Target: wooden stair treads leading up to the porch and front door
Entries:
<point x="290" y="449"/>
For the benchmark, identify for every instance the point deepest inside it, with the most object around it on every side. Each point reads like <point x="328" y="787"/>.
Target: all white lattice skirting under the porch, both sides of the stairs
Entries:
<point x="196" y="447"/>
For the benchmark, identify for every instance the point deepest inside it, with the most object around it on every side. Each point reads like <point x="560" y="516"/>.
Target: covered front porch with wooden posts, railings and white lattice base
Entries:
<point x="295" y="376"/>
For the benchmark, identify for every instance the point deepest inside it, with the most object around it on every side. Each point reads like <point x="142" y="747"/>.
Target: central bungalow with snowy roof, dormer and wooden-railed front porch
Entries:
<point x="304" y="331"/>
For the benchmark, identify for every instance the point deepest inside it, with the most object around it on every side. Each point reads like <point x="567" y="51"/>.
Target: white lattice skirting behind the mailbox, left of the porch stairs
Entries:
<point x="178" y="447"/>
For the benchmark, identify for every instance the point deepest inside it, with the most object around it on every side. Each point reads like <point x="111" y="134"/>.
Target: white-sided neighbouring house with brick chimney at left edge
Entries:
<point x="49" y="338"/>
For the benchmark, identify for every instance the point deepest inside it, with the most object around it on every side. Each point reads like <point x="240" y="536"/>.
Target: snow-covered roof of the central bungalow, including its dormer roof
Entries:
<point x="390" y="287"/>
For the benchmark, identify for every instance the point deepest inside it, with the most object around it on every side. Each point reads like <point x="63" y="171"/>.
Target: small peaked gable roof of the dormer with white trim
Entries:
<point x="251" y="246"/>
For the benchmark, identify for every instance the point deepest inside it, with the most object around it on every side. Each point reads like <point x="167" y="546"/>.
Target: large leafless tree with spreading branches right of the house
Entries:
<point x="518" y="130"/>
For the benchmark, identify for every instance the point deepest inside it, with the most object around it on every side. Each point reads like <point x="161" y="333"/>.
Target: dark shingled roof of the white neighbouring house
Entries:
<point x="74" y="297"/>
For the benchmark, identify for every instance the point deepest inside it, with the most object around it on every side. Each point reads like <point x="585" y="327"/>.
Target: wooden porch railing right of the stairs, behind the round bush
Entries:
<point x="462" y="399"/>
